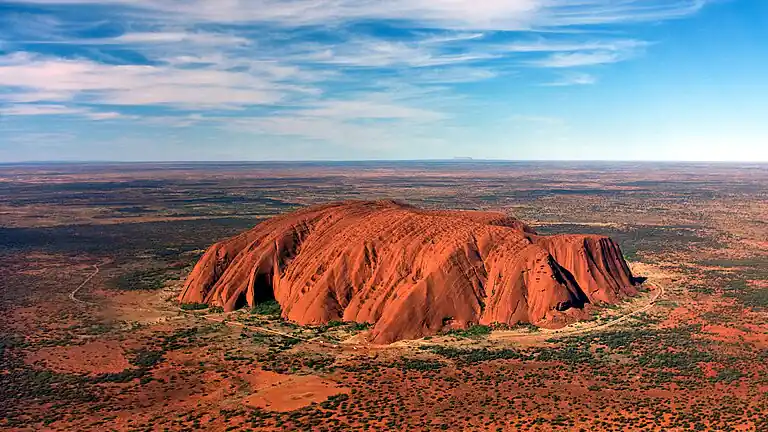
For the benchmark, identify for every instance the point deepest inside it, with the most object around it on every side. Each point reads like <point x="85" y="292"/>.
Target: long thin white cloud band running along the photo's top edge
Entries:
<point x="457" y="14"/>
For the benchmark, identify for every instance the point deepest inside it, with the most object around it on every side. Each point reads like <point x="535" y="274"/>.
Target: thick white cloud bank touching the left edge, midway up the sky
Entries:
<point x="42" y="77"/>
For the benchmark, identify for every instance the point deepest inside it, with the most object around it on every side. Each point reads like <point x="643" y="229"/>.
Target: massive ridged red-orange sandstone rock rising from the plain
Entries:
<point x="410" y="272"/>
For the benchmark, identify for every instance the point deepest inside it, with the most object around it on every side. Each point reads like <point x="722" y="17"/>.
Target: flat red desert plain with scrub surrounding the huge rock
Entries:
<point x="93" y="338"/>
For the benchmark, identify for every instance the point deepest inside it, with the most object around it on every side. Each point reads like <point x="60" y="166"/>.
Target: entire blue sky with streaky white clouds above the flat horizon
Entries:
<point x="369" y="79"/>
